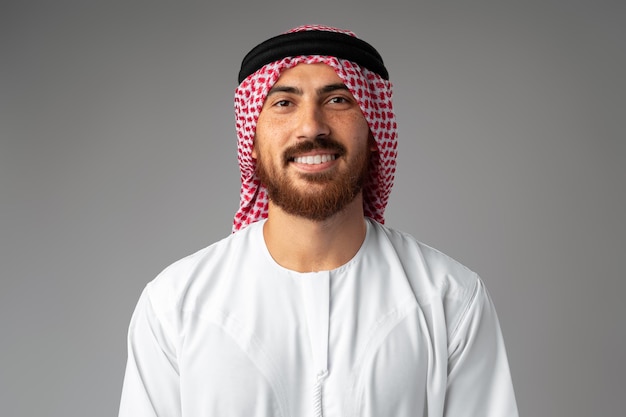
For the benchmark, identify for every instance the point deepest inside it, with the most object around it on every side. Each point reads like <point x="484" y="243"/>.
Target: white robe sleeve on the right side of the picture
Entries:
<point x="479" y="380"/>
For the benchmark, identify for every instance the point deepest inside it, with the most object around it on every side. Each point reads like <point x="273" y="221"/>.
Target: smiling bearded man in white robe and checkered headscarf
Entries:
<point x="312" y="307"/>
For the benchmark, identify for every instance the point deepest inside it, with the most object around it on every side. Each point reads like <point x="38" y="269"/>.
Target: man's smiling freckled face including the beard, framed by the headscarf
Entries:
<point x="312" y="145"/>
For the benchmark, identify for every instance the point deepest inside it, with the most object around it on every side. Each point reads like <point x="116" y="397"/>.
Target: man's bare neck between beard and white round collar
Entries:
<point x="305" y="245"/>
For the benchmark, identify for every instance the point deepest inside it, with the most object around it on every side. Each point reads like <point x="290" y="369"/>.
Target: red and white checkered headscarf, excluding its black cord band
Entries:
<point x="373" y="94"/>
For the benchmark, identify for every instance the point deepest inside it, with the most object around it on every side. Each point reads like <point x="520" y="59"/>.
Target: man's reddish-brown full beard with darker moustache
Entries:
<point x="329" y="193"/>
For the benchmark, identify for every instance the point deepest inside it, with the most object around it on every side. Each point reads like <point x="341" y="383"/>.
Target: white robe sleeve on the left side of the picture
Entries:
<point x="151" y="382"/>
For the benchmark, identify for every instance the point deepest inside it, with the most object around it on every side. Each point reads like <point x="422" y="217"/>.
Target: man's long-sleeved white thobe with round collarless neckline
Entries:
<point x="399" y="330"/>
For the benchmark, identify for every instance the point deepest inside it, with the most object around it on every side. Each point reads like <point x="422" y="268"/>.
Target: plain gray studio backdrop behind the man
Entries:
<point x="117" y="157"/>
